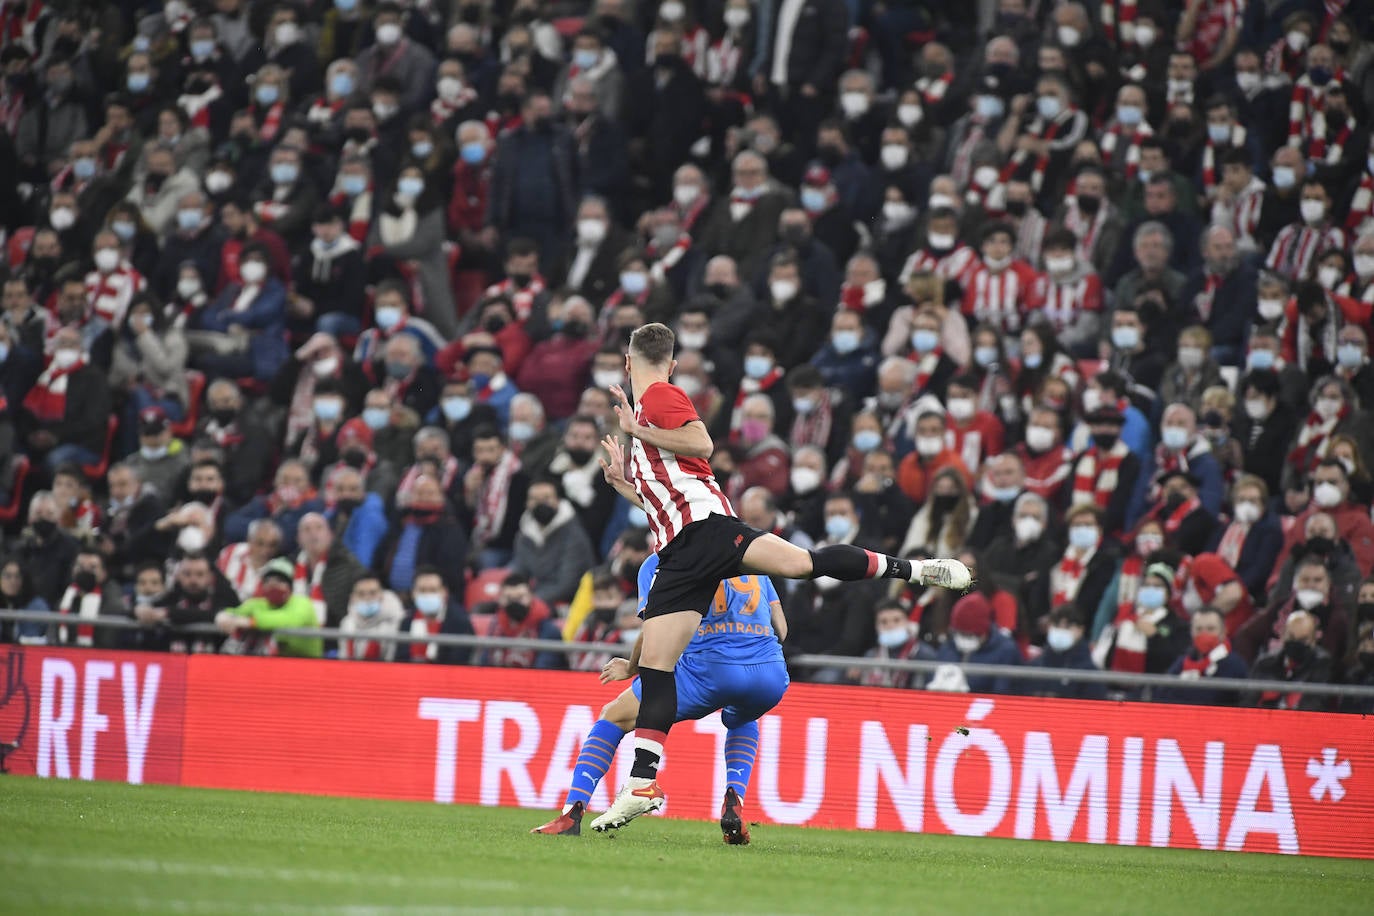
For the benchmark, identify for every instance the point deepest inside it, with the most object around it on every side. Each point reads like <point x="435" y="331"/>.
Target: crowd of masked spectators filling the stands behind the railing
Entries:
<point x="311" y="308"/>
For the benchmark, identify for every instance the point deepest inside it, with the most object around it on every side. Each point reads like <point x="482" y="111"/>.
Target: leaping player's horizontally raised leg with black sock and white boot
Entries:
<point x="770" y="556"/>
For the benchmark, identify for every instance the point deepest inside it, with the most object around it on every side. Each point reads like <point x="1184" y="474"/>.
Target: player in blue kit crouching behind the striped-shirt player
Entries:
<point x="734" y="664"/>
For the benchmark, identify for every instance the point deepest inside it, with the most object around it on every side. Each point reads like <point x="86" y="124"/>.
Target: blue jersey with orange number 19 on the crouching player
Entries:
<point x="739" y="627"/>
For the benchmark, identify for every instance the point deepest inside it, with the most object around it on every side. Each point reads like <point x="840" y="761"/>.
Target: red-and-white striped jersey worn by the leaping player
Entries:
<point x="675" y="491"/>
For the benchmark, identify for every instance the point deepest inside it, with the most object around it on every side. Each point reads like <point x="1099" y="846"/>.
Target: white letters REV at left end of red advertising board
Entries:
<point x="60" y="713"/>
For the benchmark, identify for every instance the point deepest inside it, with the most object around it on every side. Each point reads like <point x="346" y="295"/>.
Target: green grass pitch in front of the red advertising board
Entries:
<point x="69" y="847"/>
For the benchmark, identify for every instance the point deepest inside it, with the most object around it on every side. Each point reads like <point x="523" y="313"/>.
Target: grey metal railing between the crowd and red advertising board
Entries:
<point x="1015" y="672"/>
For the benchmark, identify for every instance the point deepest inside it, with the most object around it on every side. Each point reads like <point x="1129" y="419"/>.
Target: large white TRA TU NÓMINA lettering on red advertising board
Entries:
<point x="1046" y="792"/>
